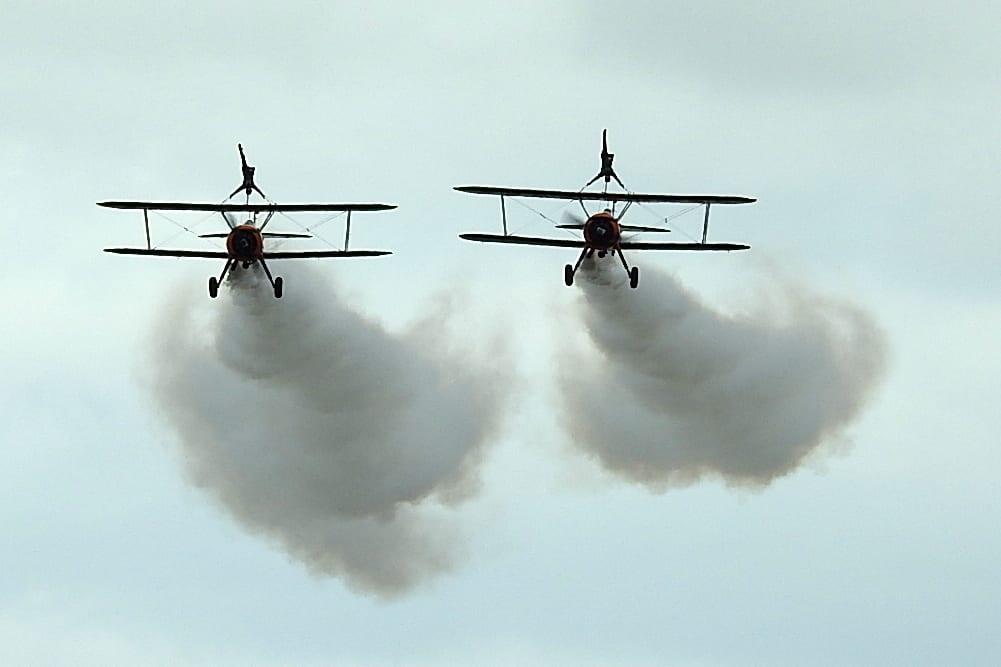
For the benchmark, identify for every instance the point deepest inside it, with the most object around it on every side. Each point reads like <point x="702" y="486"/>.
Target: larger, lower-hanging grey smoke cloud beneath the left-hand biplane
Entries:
<point x="319" y="429"/>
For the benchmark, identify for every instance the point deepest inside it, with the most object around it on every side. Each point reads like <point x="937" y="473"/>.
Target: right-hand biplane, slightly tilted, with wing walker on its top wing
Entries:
<point x="603" y="231"/>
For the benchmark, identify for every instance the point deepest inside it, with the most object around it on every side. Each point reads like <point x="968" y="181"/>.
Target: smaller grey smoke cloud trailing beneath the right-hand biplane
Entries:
<point x="680" y="392"/>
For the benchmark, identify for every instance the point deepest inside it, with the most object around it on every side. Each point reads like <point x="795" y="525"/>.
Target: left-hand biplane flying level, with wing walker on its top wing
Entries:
<point x="246" y="242"/>
